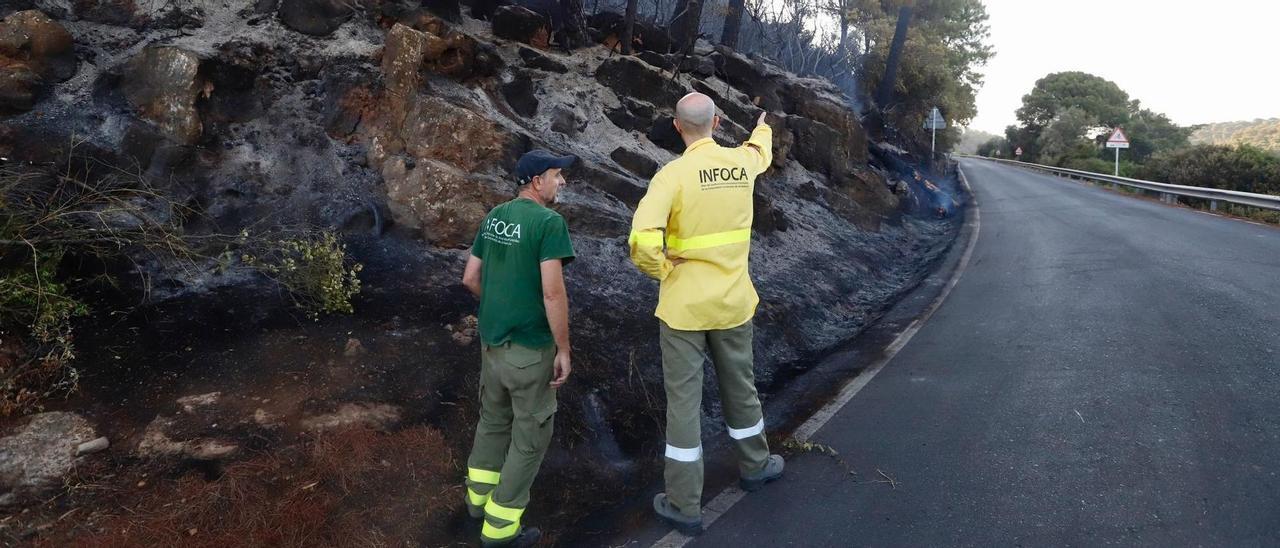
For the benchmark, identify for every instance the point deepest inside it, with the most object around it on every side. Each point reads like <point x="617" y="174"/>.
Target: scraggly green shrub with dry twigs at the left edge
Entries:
<point x="79" y="209"/>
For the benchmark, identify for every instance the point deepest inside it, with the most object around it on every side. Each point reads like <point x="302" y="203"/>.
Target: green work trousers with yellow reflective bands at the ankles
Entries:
<point x="516" y="409"/>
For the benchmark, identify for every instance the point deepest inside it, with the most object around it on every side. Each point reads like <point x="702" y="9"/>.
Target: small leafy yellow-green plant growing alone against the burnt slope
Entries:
<point x="313" y="270"/>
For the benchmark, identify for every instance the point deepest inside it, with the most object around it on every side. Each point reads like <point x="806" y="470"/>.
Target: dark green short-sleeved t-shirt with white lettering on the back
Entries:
<point x="513" y="241"/>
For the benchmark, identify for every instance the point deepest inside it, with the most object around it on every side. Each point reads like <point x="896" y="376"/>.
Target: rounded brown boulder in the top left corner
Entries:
<point x="35" y="53"/>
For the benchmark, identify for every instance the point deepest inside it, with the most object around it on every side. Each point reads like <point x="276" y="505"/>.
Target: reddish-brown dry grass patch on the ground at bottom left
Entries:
<point x="349" y="488"/>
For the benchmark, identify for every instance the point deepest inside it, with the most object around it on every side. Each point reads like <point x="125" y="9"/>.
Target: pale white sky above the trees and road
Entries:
<point x="1195" y="61"/>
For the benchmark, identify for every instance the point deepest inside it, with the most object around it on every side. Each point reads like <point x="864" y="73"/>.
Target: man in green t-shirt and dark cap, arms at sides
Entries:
<point x="516" y="268"/>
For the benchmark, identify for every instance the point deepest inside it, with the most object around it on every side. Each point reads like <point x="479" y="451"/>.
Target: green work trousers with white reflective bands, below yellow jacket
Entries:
<point x="683" y="357"/>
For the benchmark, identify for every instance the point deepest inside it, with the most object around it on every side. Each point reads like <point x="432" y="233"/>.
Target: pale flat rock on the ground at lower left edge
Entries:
<point x="38" y="456"/>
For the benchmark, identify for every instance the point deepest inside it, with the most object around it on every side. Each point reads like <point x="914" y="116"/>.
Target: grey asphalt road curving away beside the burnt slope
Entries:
<point x="1107" y="372"/>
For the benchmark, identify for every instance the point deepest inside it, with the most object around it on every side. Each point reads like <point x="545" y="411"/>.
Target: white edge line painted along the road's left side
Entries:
<point x="732" y="496"/>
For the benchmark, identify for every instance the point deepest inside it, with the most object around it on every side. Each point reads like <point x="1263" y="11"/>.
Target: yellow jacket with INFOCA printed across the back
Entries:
<point x="703" y="203"/>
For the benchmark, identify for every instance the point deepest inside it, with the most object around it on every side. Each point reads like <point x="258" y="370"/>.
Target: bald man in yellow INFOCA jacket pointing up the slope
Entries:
<point x="693" y="232"/>
